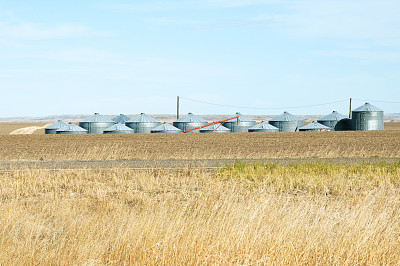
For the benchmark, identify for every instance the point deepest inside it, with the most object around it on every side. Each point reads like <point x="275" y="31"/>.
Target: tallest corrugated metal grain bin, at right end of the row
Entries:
<point x="367" y="117"/>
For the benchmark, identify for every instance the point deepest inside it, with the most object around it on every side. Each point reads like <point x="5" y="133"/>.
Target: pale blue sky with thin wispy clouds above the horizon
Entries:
<point x="219" y="56"/>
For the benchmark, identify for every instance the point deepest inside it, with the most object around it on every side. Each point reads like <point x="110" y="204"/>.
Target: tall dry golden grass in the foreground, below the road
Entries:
<point x="243" y="214"/>
